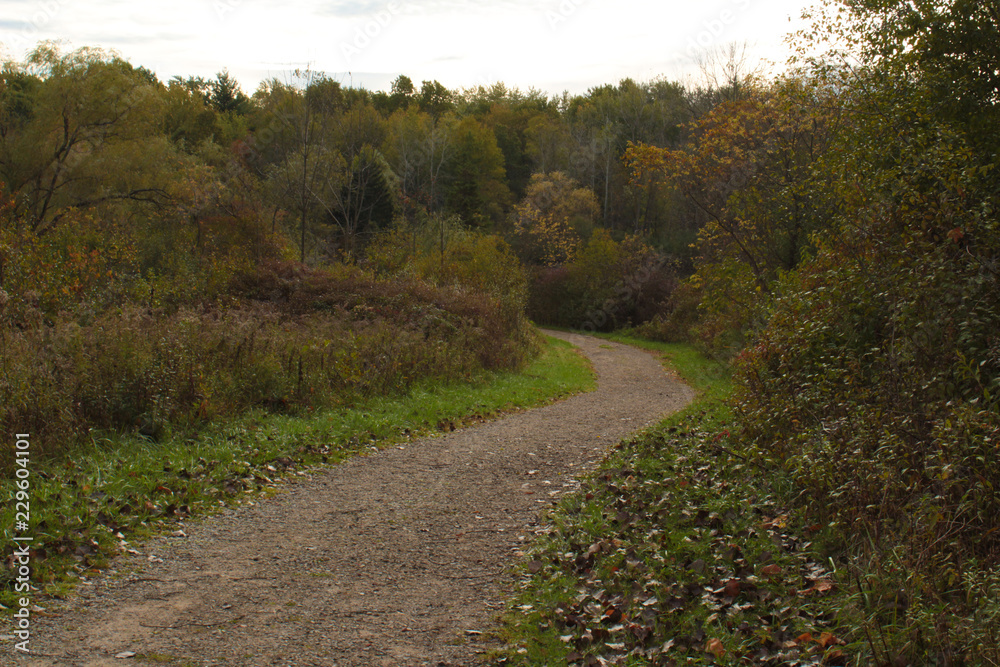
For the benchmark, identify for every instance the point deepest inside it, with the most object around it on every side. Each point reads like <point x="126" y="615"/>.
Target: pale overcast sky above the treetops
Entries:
<point x="552" y="45"/>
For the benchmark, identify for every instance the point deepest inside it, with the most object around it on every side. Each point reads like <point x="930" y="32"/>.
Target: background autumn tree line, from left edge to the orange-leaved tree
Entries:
<point x="196" y="177"/>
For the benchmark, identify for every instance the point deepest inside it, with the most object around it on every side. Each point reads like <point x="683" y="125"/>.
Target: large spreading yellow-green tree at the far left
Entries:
<point x="78" y="130"/>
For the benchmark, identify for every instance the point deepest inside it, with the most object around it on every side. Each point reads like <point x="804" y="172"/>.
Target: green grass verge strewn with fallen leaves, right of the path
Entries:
<point x="679" y="549"/>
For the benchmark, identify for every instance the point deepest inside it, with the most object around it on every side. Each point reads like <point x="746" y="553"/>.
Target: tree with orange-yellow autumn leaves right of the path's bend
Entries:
<point x="749" y="171"/>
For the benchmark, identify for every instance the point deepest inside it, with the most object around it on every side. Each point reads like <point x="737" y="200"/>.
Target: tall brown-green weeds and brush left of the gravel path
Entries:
<point x="287" y="340"/>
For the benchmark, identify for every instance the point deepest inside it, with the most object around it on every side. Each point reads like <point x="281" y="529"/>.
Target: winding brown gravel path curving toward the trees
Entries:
<point x="396" y="559"/>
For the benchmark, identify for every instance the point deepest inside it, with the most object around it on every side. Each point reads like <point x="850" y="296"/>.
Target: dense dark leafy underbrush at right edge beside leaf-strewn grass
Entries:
<point x="874" y="388"/>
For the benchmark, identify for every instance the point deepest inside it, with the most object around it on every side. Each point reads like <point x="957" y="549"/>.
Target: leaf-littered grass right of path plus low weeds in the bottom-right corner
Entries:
<point x="688" y="547"/>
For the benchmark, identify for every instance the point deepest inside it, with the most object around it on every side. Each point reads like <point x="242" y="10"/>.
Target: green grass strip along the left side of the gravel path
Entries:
<point x="89" y="506"/>
